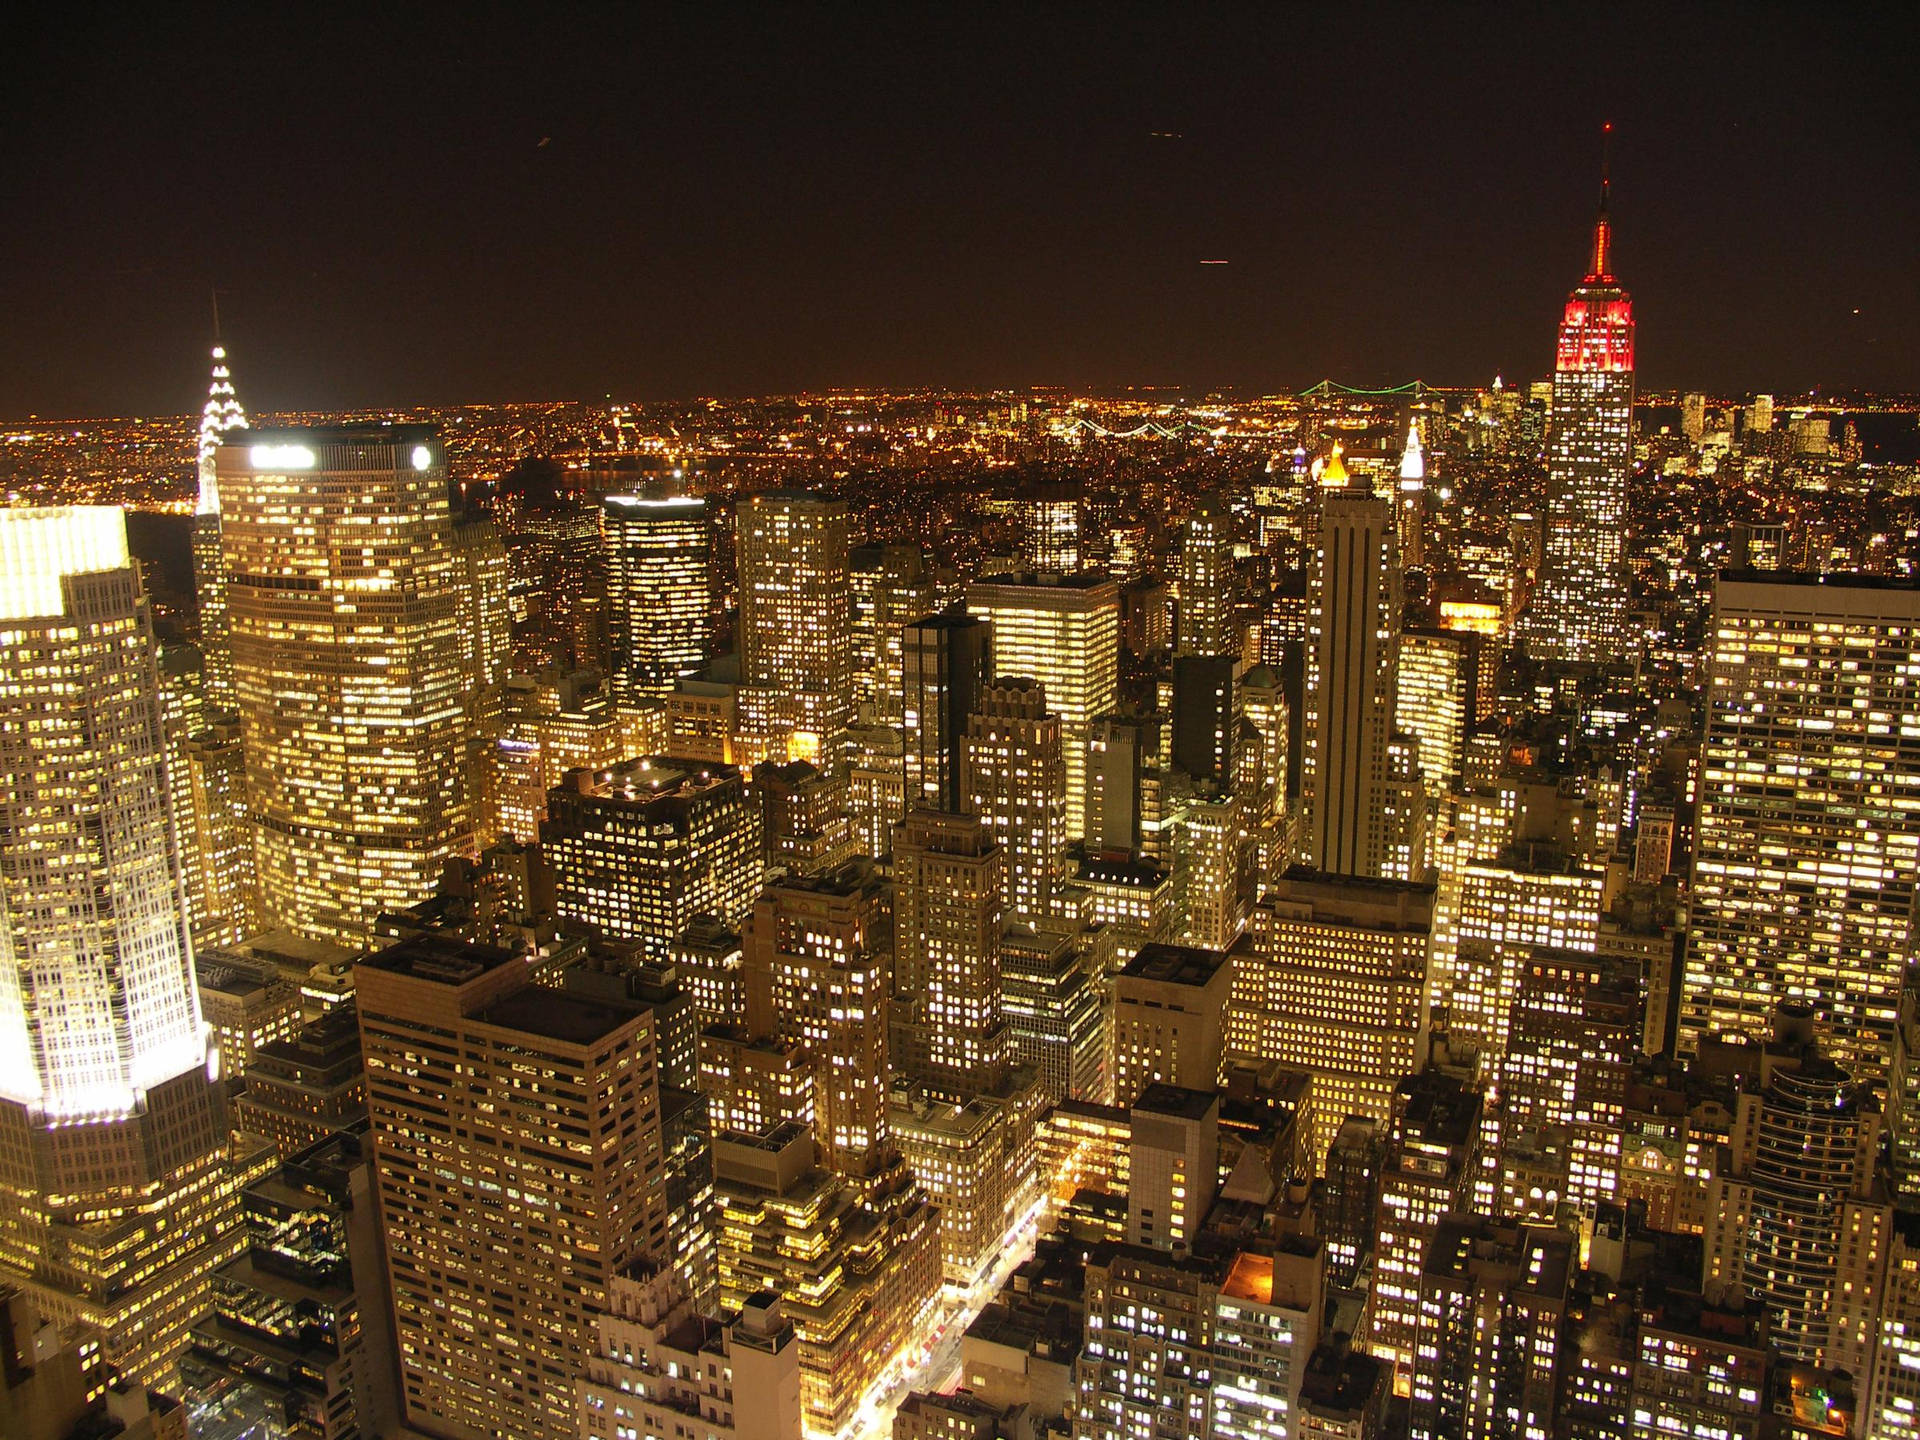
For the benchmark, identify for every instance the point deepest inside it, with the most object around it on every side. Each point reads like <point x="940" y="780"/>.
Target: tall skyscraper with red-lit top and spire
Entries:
<point x="1579" y="608"/>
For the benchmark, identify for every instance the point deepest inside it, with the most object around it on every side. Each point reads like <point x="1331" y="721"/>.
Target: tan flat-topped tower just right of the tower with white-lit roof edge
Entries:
<point x="796" y="627"/>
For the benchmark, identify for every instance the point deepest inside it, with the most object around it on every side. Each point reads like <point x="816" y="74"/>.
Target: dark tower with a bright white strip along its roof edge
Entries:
<point x="660" y="590"/>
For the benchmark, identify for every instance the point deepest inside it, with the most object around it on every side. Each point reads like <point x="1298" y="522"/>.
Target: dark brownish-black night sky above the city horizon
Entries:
<point x="673" y="204"/>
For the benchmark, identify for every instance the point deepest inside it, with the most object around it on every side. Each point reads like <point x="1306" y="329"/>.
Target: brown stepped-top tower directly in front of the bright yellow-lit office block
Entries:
<point x="1015" y="779"/>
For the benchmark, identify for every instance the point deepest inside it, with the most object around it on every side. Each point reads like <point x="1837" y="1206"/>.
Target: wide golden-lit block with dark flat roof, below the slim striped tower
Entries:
<point x="1335" y="984"/>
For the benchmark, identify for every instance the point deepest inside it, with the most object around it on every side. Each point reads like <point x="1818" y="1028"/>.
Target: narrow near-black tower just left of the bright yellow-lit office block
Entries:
<point x="946" y="663"/>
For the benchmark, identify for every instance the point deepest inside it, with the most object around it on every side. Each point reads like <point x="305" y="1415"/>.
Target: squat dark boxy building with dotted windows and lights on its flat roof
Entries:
<point x="642" y="850"/>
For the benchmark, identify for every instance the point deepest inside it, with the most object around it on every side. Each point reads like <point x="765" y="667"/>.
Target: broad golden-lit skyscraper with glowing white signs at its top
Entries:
<point x="350" y="669"/>
